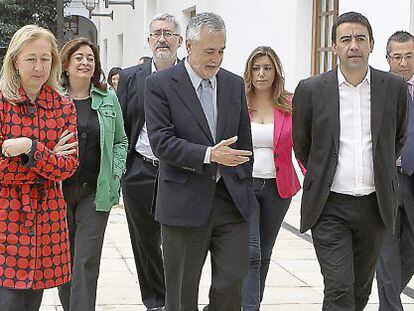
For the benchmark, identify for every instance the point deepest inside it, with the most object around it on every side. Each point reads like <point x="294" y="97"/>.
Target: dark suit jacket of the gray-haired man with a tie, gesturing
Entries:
<point x="179" y="136"/>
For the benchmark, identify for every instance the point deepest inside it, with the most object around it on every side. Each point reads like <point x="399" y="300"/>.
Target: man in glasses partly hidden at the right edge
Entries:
<point x="396" y="264"/>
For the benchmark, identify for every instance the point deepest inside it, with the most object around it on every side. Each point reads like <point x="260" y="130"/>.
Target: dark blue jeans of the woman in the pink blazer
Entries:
<point x="265" y="222"/>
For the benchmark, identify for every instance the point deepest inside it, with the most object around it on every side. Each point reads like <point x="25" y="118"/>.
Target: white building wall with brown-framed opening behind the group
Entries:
<point x="298" y="30"/>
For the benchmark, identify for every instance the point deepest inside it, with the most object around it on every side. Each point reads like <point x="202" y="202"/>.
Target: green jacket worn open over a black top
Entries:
<point x="114" y="144"/>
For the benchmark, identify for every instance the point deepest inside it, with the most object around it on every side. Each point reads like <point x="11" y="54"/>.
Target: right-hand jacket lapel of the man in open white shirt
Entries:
<point x="378" y="98"/>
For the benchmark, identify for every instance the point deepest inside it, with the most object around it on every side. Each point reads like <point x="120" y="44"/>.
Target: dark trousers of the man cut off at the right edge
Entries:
<point x="396" y="264"/>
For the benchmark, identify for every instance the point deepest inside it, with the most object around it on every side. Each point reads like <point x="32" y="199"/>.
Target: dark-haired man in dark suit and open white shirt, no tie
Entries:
<point x="349" y="126"/>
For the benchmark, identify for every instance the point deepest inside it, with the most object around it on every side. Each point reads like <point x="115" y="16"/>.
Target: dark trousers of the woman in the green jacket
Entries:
<point x="86" y="234"/>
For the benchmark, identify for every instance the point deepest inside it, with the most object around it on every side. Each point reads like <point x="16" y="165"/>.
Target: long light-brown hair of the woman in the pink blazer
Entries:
<point x="280" y="95"/>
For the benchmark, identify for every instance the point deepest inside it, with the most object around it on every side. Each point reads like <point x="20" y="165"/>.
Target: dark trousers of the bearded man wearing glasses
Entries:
<point x="138" y="190"/>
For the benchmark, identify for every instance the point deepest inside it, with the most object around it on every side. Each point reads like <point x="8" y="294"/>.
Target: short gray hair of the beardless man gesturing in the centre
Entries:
<point x="212" y="21"/>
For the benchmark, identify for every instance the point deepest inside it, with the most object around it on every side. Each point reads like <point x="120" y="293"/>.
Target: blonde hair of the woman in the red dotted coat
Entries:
<point x="10" y="81"/>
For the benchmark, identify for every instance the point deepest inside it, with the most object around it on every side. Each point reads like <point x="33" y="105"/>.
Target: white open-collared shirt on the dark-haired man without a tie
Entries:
<point x="355" y="172"/>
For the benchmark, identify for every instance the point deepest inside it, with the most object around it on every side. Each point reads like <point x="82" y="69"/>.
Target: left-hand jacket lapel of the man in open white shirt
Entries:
<point x="330" y="97"/>
